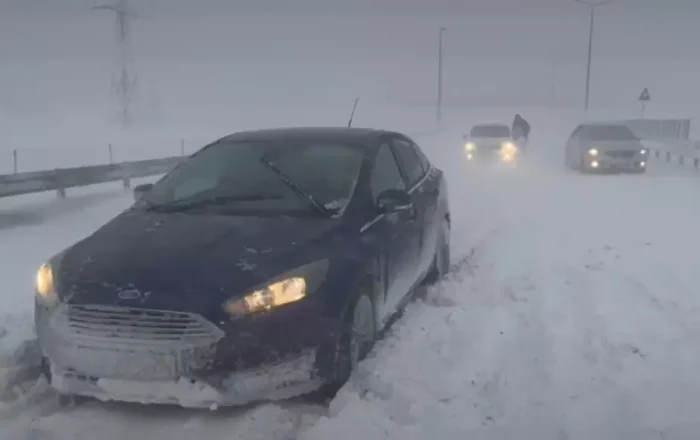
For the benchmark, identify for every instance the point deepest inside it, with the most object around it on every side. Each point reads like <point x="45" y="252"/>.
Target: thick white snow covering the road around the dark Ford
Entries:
<point x="571" y="314"/>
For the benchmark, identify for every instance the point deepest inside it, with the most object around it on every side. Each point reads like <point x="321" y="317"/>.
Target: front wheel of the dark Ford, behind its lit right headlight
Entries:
<point x="355" y="342"/>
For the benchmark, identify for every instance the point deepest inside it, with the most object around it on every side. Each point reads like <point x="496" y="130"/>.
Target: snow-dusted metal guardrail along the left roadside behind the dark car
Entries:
<point x="63" y="178"/>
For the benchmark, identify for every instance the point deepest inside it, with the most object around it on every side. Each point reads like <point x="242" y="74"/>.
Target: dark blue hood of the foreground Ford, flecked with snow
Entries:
<point x="181" y="261"/>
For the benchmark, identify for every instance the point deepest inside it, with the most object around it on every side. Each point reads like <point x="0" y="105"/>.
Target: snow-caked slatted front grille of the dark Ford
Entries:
<point x="127" y="326"/>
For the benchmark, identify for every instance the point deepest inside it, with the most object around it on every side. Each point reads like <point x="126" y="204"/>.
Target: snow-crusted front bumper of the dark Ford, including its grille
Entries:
<point x="140" y="355"/>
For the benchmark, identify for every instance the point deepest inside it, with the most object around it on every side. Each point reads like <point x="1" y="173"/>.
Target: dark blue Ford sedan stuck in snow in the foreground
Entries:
<point x="261" y="267"/>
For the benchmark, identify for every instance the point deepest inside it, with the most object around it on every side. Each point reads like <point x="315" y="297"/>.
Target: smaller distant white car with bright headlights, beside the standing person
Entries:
<point x="491" y="143"/>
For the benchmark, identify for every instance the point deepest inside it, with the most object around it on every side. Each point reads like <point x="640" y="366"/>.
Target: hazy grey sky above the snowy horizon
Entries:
<point x="210" y="62"/>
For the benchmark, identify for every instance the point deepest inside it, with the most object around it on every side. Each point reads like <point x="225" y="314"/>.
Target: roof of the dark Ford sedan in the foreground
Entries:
<point x="348" y="134"/>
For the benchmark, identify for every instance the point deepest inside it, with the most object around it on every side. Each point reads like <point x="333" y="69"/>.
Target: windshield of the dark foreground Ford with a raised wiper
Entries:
<point x="277" y="176"/>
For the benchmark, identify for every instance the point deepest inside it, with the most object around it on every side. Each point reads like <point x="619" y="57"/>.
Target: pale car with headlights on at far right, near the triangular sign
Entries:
<point x="599" y="147"/>
